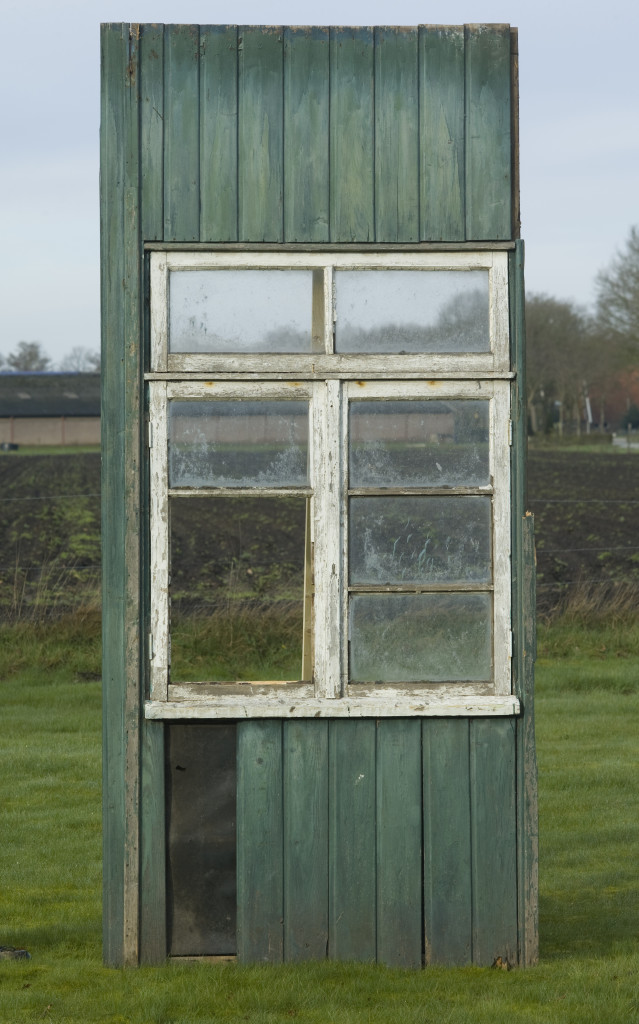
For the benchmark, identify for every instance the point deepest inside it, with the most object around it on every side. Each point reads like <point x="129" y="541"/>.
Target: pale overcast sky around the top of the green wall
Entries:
<point x="579" y="138"/>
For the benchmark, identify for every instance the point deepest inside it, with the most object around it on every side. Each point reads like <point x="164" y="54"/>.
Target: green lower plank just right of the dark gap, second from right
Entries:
<point x="448" y="903"/>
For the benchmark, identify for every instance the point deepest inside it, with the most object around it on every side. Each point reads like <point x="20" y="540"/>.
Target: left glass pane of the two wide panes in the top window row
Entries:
<point x="240" y="311"/>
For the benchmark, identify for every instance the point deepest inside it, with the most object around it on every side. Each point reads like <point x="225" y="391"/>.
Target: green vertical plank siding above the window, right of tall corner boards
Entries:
<point x="327" y="136"/>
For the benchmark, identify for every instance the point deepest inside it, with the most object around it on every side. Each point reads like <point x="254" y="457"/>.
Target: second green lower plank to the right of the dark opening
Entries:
<point x="306" y="840"/>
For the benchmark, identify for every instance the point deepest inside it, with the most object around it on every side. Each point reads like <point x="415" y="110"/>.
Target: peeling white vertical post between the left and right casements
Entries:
<point x="327" y="532"/>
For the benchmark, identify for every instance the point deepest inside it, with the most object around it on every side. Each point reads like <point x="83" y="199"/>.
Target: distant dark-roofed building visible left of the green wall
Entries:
<point x="50" y="409"/>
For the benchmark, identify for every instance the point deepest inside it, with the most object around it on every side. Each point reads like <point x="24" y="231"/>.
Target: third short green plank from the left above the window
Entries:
<point x="219" y="134"/>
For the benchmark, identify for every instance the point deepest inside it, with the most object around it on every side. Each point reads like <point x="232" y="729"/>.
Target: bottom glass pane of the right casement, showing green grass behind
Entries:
<point x="412" y="638"/>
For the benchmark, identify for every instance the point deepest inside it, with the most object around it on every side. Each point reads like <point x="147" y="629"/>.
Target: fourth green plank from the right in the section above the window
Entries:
<point x="352" y="144"/>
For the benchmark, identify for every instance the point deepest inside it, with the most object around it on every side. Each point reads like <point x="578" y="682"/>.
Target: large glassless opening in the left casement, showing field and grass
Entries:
<point x="237" y="588"/>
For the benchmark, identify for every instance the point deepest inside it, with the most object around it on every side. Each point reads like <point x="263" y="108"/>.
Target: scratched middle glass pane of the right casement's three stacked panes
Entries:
<point x="420" y="540"/>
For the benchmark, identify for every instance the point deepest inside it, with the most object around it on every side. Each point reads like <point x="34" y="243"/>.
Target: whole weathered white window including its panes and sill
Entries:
<point x="330" y="476"/>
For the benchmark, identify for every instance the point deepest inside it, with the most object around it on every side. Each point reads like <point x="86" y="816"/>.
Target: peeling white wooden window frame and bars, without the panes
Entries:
<point x="329" y="381"/>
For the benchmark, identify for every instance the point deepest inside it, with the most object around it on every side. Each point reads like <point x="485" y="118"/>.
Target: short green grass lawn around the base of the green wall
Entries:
<point x="588" y="707"/>
